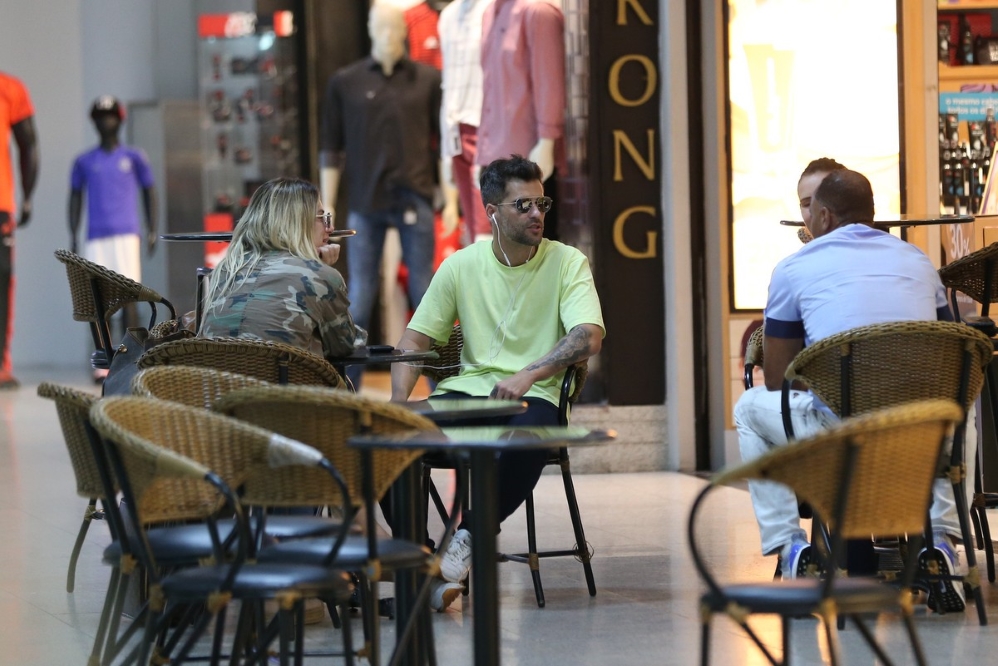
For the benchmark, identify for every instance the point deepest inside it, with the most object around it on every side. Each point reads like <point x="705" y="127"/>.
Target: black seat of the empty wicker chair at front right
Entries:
<point x="803" y="596"/>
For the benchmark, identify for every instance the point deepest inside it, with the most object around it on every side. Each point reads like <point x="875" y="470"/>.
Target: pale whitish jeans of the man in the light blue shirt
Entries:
<point x="759" y="421"/>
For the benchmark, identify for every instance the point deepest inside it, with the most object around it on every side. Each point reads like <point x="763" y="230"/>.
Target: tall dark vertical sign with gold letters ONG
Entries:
<point x="626" y="193"/>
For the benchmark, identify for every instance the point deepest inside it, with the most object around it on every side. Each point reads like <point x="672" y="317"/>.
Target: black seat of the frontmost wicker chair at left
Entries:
<point x="258" y="581"/>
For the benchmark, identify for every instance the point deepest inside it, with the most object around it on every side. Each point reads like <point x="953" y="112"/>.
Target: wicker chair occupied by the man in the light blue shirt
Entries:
<point x="878" y="366"/>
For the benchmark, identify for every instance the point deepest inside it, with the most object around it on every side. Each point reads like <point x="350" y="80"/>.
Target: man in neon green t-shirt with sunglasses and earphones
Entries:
<point x="528" y="309"/>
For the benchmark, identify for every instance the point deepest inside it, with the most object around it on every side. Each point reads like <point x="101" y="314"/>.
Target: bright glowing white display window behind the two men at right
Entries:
<point x="806" y="79"/>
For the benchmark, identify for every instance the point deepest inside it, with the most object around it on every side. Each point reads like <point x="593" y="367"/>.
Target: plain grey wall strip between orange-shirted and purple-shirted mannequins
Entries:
<point x="41" y="43"/>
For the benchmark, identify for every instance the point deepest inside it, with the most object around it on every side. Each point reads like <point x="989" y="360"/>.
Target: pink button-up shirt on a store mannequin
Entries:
<point x="523" y="78"/>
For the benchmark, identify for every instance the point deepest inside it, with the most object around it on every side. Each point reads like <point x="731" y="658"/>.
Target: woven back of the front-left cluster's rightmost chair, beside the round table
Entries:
<point x="324" y="419"/>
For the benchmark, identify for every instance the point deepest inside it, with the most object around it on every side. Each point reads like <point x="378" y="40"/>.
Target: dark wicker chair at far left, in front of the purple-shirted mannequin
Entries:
<point x="97" y="294"/>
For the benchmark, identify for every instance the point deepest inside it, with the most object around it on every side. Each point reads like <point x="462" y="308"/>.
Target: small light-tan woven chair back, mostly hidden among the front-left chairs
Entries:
<point x="189" y="385"/>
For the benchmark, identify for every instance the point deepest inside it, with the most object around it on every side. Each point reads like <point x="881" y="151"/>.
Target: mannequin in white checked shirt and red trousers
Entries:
<point x="461" y="110"/>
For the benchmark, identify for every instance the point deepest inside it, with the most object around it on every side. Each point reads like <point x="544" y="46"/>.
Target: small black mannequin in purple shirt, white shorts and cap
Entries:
<point x="113" y="175"/>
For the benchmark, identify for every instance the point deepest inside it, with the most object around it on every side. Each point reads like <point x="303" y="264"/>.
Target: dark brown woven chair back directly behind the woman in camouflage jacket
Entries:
<point x="270" y="361"/>
